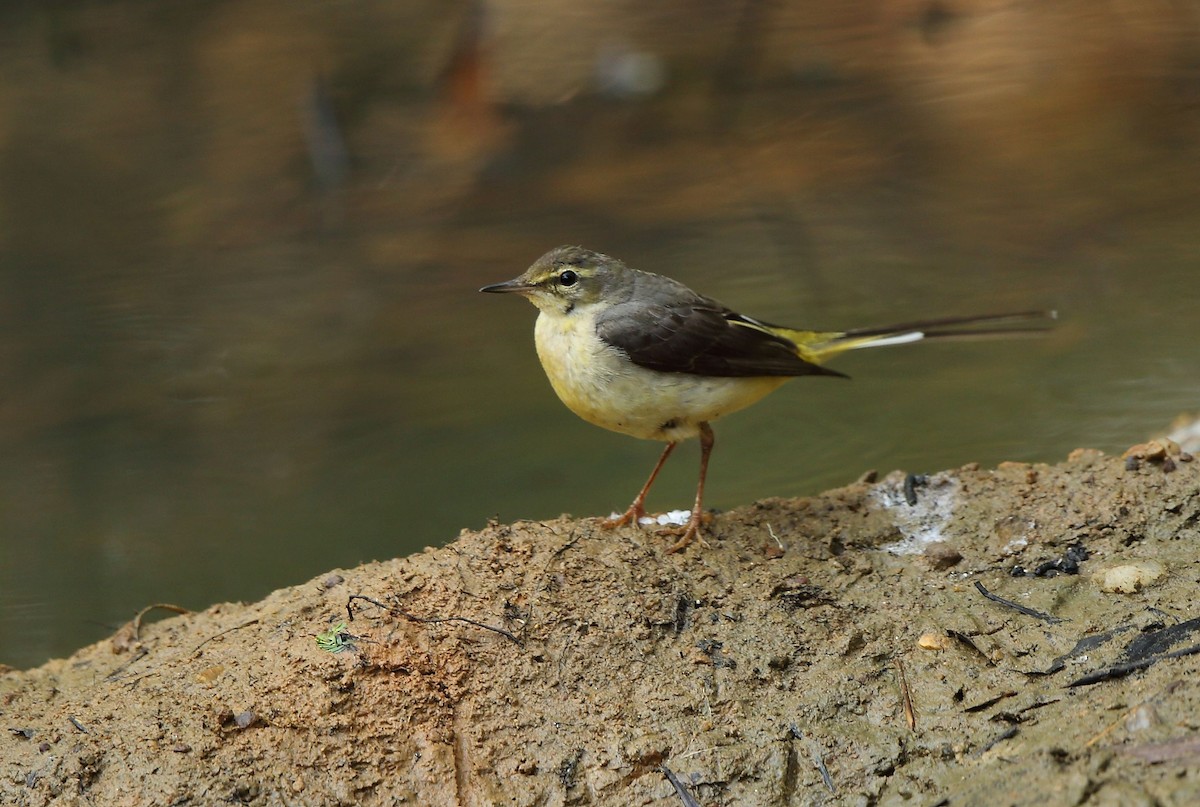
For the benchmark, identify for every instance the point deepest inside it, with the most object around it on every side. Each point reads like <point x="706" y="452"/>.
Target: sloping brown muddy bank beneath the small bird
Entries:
<point x="871" y="645"/>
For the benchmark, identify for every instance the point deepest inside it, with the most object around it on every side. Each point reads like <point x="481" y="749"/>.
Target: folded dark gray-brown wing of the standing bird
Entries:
<point x="701" y="337"/>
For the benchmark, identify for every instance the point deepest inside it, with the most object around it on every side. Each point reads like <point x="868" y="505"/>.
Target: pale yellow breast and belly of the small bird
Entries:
<point x="604" y="388"/>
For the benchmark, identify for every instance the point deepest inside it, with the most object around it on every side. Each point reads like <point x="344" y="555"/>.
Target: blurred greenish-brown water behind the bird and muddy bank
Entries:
<point x="241" y="340"/>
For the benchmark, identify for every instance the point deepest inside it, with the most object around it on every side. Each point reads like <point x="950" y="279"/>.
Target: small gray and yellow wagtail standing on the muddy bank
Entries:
<point x="646" y="356"/>
